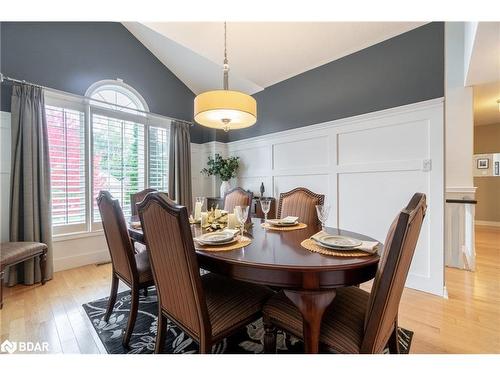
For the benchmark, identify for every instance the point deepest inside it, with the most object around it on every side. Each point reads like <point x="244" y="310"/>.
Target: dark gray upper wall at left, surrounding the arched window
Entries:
<point x="70" y="56"/>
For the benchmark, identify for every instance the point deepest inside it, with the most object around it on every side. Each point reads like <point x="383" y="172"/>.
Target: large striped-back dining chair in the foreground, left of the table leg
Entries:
<point x="209" y="307"/>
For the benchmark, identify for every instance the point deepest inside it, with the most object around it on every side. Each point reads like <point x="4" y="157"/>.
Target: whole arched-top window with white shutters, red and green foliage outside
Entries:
<point x="94" y="146"/>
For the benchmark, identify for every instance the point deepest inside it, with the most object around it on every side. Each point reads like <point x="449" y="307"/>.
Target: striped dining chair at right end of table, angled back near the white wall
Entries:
<point x="358" y="321"/>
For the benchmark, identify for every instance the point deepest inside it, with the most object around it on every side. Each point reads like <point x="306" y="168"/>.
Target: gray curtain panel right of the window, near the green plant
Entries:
<point x="179" y="180"/>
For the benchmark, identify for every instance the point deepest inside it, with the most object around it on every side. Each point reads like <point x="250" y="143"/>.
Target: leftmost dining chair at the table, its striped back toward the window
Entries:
<point x="132" y="269"/>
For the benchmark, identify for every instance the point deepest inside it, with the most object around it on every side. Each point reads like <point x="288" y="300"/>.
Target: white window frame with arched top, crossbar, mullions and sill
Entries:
<point x="89" y="107"/>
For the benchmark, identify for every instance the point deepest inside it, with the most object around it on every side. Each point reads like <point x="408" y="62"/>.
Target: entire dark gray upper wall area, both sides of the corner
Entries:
<point x="70" y="56"/>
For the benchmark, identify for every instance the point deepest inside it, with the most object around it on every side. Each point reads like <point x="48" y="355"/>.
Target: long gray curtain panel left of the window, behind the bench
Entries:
<point x="30" y="211"/>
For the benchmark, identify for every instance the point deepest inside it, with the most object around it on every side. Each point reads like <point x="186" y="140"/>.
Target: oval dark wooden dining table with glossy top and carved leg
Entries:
<point x="276" y="259"/>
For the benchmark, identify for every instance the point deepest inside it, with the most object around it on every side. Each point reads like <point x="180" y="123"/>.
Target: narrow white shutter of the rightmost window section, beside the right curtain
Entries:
<point x="159" y="140"/>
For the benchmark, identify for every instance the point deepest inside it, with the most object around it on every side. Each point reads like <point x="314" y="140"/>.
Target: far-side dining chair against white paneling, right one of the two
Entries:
<point x="300" y="202"/>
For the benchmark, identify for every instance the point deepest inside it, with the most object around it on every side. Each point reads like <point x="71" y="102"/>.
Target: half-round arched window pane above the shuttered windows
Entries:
<point x="116" y="95"/>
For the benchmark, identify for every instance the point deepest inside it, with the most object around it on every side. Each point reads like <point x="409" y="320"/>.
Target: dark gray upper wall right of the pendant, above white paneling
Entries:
<point x="405" y="69"/>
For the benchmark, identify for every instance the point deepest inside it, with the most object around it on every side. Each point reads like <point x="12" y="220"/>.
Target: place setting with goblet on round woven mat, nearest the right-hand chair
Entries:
<point x="337" y="245"/>
